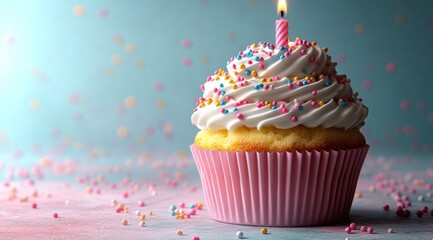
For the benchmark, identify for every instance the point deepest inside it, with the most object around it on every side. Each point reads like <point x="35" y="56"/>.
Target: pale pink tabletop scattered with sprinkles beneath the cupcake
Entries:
<point x="82" y="196"/>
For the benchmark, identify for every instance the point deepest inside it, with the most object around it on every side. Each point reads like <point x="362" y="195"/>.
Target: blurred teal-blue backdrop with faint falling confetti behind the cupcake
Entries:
<point x="68" y="67"/>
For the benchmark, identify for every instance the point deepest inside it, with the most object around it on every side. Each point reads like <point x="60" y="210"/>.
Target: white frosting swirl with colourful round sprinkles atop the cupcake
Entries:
<point x="282" y="88"/>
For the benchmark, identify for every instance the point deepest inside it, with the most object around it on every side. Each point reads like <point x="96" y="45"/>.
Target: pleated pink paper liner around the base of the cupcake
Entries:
<point x="279" y="188"/>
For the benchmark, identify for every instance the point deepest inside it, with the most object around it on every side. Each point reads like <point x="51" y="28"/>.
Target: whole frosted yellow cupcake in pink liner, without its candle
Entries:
<point x="279" y="141"/>
